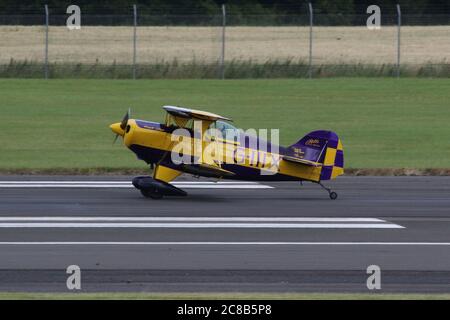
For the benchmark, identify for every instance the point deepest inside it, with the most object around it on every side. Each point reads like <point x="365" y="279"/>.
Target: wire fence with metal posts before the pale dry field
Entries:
<point x="142" y="45"/>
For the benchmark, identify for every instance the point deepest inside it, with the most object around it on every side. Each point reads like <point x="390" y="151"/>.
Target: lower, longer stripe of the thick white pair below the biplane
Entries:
<point x="204" y="225"/>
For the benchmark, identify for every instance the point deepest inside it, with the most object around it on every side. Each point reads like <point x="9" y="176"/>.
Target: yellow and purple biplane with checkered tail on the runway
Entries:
<point x="178" y="146"/>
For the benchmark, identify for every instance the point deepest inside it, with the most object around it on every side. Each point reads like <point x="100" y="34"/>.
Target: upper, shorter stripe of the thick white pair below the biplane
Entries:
<point x="195" y="219"/>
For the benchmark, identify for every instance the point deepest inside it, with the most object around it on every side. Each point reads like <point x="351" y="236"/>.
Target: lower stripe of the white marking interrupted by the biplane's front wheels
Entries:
<point x="186" y="186"/>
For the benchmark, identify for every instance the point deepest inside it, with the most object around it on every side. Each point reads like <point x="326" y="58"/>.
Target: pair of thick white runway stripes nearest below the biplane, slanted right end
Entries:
<point x="197" y="222"/>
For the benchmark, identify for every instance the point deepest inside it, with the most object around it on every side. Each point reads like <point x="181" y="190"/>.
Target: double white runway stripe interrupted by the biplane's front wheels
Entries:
<point x="127" y="184"/>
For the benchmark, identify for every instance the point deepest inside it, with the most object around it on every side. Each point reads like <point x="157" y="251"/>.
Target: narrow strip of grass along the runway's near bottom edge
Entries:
<point x="219" y="296"/>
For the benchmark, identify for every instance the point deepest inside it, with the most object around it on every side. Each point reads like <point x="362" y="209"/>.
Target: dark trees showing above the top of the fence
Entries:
<point x="234" y="7"/>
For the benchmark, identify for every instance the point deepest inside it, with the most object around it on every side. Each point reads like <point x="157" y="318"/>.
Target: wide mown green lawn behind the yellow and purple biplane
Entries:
<point x="383" y="123"/>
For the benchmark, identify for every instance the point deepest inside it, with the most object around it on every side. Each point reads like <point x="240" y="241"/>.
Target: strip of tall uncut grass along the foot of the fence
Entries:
<point x="234" y="69"/>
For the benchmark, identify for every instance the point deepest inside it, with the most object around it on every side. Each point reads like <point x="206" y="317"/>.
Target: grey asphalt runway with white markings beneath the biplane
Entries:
<point x="225" y="237"/>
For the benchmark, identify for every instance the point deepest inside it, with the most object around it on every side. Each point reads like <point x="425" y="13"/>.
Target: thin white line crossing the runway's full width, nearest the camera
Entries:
<point x="147" y="243"/>
